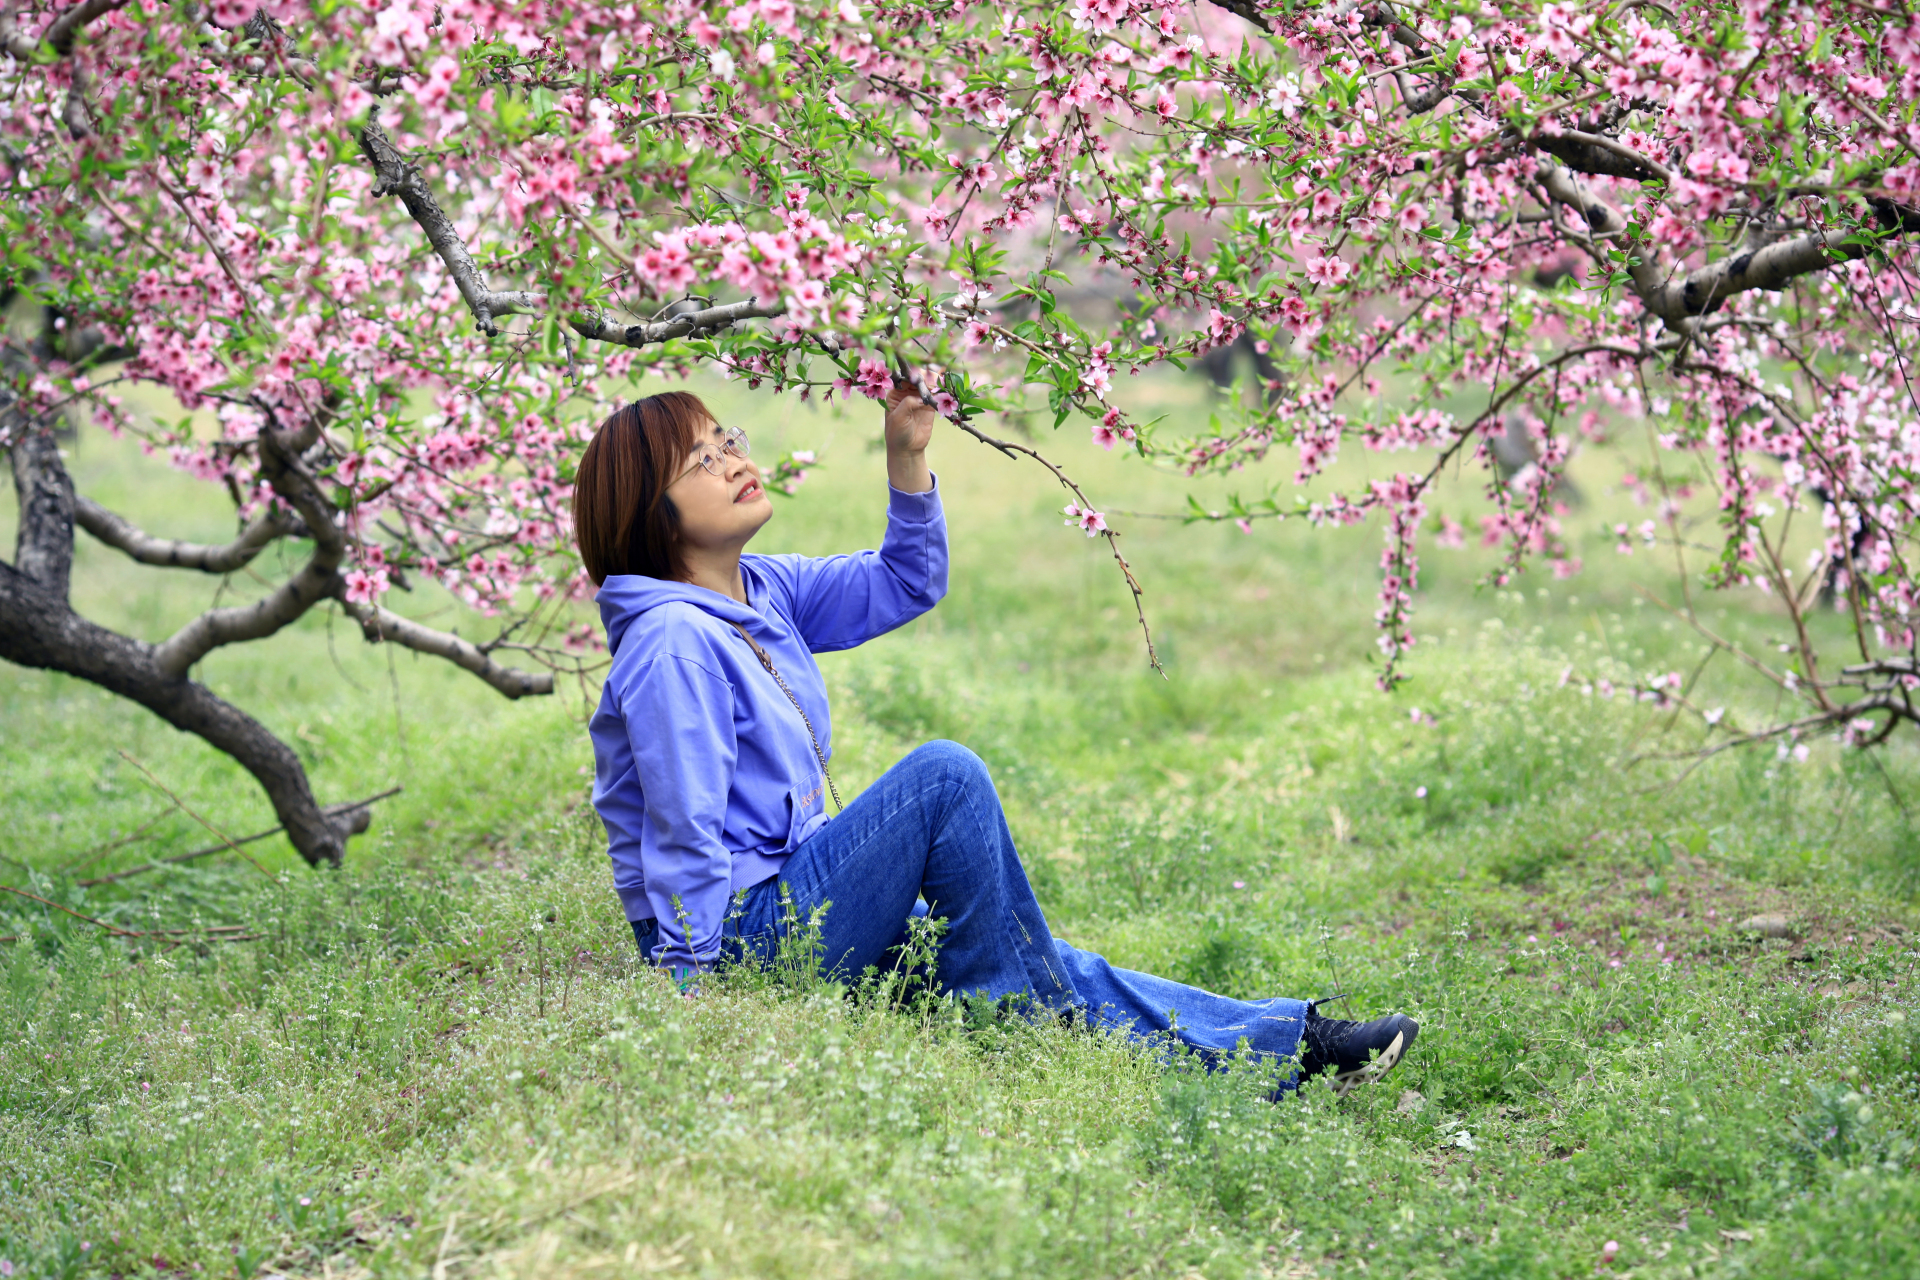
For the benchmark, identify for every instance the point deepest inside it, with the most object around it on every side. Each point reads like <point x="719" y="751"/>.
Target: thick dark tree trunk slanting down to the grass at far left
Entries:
<point x="39" y="628"/>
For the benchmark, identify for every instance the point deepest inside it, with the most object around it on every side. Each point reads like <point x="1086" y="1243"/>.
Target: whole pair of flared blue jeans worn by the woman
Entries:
<point x="932" y="828"/>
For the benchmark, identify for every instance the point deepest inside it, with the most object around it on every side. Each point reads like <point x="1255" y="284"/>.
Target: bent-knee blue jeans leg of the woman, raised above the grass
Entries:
<point x="932" y="828"/>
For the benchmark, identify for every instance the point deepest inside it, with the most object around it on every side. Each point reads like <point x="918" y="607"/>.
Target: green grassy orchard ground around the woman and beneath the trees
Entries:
<point x="444" y="1060"/>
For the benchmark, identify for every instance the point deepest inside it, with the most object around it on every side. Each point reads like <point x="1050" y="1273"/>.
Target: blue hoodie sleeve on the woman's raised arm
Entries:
<point x="850" y="600"/>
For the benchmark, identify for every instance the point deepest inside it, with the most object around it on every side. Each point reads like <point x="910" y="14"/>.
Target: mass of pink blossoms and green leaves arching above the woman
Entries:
<point x="1477" y="237"/>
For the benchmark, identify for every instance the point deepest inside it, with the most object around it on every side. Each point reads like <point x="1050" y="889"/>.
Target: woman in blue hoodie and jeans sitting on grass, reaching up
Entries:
<point x="713" y="738"/>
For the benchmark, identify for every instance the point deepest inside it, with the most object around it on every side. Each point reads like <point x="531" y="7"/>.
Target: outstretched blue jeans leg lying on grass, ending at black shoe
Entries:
<point x="1145" y="1007"/>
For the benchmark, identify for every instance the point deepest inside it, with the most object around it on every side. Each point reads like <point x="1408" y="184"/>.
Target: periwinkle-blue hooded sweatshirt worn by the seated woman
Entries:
<point x="704" y="772"/>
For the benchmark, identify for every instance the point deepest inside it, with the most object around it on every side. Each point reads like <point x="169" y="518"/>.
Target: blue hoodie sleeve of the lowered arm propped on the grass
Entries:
<point x="681" y="724"/>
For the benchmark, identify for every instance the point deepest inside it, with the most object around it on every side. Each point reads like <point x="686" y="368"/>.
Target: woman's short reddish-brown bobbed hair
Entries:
<point x="623" y="519"/>
